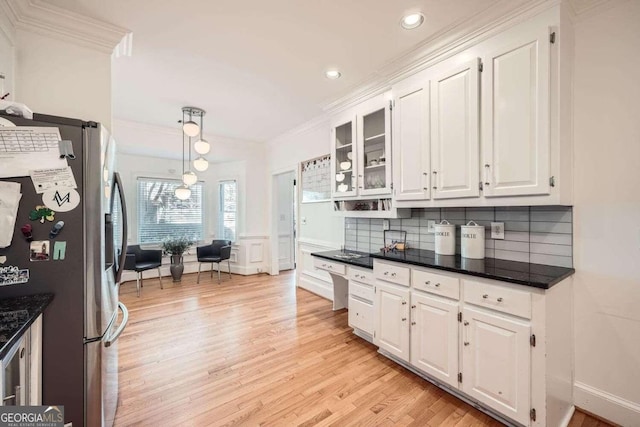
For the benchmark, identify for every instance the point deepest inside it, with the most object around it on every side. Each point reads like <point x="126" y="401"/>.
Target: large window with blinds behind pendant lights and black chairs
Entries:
<point x="161" y="214"/>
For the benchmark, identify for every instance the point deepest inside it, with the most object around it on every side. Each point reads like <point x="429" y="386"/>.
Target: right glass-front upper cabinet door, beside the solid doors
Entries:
<point x="374" y="145"/>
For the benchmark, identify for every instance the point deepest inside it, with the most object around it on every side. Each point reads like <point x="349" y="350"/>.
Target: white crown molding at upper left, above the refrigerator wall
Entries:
<point x="39" y="17"/>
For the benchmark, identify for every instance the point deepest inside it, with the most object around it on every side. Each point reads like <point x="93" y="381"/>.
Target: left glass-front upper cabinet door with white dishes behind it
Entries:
<point x="344" y="165"/>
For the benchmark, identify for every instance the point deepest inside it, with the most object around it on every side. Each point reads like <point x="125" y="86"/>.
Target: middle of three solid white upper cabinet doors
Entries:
<point x="454" y="132"/>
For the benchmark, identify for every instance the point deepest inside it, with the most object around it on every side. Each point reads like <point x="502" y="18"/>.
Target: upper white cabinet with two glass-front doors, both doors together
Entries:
<point x="361" y="146"/>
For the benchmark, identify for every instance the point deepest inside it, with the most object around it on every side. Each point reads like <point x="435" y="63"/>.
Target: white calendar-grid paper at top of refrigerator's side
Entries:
<point x="25" y="148"/>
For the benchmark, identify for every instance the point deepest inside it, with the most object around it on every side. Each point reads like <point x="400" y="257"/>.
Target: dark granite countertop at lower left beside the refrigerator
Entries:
<point x="16" y="316"/>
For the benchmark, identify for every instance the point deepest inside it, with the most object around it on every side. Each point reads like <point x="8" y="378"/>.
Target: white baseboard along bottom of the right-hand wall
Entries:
<point x="606" y="405"/>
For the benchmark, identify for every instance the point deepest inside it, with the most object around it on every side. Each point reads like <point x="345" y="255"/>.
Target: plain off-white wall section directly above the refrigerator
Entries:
<point x="63" y="79"/>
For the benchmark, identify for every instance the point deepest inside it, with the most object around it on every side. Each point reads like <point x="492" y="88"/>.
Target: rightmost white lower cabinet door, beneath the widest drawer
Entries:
<point x="496" y="361"/>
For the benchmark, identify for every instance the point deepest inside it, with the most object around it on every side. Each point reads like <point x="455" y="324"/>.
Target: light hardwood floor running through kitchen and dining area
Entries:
<point x="256" y="350"/>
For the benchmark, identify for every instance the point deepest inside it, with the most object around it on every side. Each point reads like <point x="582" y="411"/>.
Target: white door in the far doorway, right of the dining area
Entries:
<point x="285" y="204"/>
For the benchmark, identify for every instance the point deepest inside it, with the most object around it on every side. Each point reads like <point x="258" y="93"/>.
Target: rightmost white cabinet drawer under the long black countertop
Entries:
<point x="499" y="298"/>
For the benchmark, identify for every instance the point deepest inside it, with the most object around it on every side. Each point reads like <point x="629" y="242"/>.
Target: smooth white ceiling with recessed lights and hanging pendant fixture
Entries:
<point x="256" y="66"/>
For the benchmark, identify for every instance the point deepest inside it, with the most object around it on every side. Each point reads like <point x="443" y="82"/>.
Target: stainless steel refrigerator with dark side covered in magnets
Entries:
<point x="82" y="324"/>
